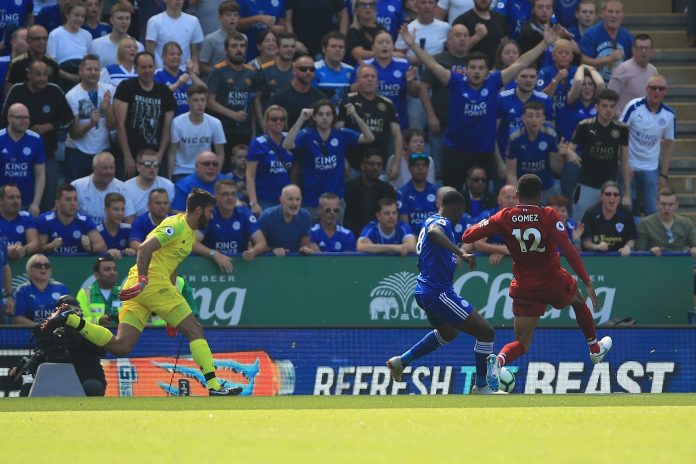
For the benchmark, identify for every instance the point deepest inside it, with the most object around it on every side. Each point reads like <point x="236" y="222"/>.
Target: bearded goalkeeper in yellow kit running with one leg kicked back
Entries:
<point x="150" y="289"/>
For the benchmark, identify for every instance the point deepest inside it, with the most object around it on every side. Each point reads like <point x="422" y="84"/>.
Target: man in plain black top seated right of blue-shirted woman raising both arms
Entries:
<point x="363" y="192"/>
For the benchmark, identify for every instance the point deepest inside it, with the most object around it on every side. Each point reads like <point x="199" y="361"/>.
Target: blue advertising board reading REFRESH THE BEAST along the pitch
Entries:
<point x="331" y="361"/>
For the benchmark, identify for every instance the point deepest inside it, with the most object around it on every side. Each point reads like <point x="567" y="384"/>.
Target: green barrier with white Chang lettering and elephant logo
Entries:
<point x="368" y="291"/>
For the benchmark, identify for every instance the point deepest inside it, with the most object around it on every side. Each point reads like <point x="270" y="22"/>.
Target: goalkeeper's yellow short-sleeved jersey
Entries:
<point x="176" y="239"/>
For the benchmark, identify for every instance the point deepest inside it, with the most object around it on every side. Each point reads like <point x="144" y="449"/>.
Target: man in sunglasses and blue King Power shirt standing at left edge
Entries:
<point x="22" y="158"/>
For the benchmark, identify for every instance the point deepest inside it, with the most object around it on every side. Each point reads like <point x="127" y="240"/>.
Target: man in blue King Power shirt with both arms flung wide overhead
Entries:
<point x="470" y="133"/>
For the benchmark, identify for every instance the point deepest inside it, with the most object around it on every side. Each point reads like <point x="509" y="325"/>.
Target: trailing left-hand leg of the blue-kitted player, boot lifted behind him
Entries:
<point x="444" y="333"/>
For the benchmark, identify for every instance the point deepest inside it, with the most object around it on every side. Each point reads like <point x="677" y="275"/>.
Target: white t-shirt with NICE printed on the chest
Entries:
<point x="193" y="139"/>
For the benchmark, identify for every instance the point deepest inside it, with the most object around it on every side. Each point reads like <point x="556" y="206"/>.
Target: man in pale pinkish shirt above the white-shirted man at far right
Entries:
<point x="630" y="78"/>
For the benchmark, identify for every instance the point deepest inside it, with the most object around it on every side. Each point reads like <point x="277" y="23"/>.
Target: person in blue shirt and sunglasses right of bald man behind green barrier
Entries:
<point x="328" y="235"/>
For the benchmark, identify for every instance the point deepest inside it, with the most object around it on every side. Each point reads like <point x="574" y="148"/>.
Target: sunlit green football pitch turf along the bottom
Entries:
<point x="307" y="429"/>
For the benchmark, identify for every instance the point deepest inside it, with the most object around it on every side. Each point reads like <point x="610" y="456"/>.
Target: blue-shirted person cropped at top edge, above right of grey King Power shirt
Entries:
<point x="257" y="16"/>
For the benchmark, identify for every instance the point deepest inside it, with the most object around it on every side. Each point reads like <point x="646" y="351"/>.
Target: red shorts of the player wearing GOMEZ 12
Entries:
<point x="533" y="302"/>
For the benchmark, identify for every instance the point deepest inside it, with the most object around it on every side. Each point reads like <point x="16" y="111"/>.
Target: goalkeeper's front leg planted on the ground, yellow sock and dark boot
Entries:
<point x="185" y="322"/>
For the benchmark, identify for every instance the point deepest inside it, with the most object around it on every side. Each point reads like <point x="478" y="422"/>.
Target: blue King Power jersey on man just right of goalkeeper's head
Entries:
<point x="230" y="236"/>
